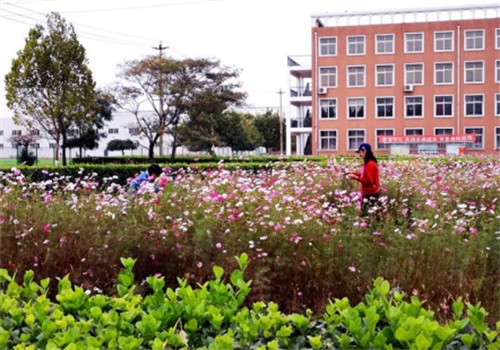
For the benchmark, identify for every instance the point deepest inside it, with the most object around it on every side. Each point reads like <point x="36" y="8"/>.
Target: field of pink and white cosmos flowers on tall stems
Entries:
<point x="436" y="235"/>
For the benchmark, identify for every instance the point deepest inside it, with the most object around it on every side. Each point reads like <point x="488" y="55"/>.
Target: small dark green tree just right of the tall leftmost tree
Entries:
<point x="89" y="134"/>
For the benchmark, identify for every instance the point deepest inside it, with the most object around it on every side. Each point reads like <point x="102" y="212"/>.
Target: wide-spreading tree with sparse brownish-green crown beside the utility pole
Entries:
<point x="174" y="89"/>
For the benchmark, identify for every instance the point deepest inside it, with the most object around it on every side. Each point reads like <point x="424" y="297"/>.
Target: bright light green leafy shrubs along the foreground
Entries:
<point x="213" y="316"/>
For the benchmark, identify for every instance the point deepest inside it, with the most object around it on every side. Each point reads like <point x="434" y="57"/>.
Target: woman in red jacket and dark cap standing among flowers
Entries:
<point x="368" y="178"/>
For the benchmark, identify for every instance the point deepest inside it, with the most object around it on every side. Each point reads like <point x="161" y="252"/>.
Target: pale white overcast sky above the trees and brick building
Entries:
<point x="255" y="36"/>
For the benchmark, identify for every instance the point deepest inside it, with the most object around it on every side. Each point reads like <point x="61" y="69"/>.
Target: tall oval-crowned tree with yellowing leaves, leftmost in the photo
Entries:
<point x="50" y="86"/>
